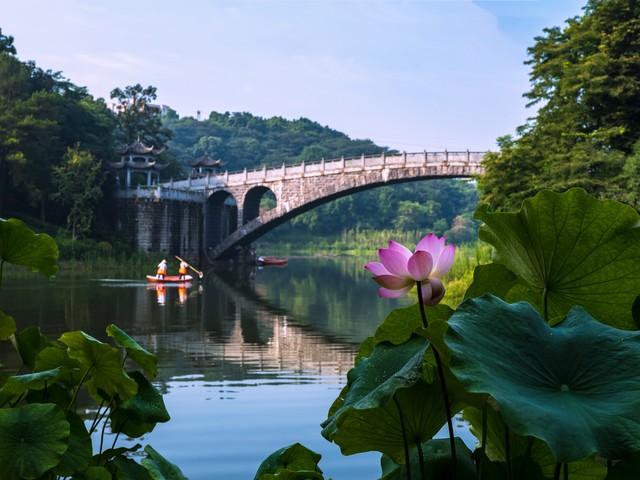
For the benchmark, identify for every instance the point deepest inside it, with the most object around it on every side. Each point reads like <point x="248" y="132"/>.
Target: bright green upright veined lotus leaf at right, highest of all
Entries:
<point x="580" y="249"/>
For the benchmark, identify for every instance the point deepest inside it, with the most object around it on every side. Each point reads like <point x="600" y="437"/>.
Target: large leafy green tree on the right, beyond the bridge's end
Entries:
<point x="585" y="78"/>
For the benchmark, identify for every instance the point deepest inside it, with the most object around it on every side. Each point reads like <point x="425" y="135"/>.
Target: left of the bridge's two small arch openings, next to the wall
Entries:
<point x="221" y="217"/>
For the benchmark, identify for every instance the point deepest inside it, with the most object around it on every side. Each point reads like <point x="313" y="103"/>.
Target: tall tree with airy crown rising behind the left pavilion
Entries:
<point x="138" y="118"/>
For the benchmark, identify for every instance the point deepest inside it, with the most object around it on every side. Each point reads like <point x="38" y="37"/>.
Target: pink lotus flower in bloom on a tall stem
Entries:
<point x="399" y="268"/>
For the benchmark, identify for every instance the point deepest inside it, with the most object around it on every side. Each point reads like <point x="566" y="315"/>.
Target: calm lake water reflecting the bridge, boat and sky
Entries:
<point x="248" y="363"/>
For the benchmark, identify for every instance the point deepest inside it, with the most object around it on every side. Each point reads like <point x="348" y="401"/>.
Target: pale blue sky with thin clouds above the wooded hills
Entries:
<point x="413" y="75"/>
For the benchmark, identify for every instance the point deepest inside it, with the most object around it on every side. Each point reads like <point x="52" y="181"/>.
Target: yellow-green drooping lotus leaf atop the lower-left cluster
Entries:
<point x="104" y="363"/>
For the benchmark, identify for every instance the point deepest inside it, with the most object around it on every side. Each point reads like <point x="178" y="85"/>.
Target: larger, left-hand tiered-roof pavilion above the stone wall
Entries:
<point x="138" y="165"/>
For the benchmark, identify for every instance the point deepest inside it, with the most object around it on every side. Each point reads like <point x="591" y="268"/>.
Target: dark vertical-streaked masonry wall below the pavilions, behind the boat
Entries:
<point x="172" y="227"/>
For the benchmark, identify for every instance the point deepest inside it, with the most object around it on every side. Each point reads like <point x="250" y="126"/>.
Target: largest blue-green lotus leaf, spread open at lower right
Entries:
<point x="575" y="386"/>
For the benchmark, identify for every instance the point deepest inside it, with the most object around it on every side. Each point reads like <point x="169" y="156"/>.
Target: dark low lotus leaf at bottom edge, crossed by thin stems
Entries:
<point x="437" y="462"/>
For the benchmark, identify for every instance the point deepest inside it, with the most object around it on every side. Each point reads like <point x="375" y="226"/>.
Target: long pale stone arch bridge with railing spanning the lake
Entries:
<point x="225" y="210"/>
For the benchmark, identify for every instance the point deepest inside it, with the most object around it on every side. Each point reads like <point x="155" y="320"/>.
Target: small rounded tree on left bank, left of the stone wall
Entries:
<point x="78" y="182"/>
